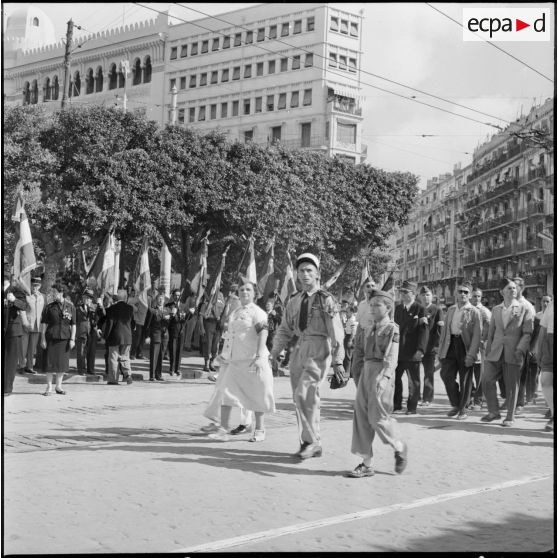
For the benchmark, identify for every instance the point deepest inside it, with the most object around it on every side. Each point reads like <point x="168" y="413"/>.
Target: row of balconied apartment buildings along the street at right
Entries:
<point x="492" y="219"/>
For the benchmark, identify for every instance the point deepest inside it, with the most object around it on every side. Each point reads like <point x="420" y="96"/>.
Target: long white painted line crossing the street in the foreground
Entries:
<point x="345" y="518"/>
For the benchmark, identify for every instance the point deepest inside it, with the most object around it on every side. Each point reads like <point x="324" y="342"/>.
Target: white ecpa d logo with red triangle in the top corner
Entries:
<point x="507" y="24"/>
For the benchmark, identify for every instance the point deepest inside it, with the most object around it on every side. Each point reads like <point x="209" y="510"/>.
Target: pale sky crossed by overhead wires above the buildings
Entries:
<point x="416" y="46"/>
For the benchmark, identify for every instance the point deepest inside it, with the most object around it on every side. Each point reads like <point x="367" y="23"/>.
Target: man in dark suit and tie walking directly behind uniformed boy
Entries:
<point x="413" y="330"/>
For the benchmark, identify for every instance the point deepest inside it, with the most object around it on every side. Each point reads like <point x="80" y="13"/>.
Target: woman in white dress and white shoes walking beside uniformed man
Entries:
<point x="246" y="379"/>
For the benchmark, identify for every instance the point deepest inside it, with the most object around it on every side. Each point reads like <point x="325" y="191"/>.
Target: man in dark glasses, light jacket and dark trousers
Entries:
<point x="459" y="350"/>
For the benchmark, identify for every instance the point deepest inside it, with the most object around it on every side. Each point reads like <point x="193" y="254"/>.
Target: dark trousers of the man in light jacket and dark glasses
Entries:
<point x="459" y="394"/>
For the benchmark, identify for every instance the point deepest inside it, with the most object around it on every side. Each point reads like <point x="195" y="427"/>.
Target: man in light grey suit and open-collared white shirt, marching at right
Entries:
<point x="509" y="337"/>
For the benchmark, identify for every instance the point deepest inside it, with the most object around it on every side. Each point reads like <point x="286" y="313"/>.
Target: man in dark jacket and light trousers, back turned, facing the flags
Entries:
<point x="118" y="337"/>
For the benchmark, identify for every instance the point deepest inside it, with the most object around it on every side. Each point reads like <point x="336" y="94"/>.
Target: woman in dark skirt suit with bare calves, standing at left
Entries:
<point x="58" y="336"/>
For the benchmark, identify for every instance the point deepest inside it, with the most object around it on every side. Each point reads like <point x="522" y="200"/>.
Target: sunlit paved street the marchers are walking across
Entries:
<point x="110" y="469"/>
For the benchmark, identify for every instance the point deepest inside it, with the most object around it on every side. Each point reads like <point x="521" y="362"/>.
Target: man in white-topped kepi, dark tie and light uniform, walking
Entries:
<point x="312" y="316"/>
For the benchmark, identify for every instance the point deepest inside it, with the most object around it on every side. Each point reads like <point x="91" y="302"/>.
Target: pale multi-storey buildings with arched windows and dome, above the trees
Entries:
<point x="273" y="72"/>
